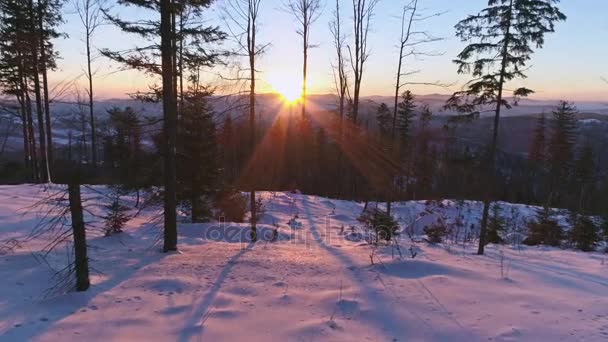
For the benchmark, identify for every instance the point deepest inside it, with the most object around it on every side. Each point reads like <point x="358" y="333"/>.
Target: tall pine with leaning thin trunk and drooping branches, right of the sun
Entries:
<point x="503" y="36"/>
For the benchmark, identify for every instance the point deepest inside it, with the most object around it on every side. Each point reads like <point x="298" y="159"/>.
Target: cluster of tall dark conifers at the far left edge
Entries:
<point x="27" y="31"/>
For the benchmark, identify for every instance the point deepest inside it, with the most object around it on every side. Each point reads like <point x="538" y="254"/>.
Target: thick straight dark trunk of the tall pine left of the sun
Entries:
<point x="170" y="127"/>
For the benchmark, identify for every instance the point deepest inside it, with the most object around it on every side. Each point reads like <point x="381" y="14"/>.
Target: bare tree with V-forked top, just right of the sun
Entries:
<point x="363" y="11"/>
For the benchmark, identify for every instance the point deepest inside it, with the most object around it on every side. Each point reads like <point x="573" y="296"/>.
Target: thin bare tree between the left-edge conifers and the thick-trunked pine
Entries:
<point x="91" y="17"/>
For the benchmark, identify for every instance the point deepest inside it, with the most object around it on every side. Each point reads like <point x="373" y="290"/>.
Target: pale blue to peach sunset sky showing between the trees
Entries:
<point x="570" y="66"/>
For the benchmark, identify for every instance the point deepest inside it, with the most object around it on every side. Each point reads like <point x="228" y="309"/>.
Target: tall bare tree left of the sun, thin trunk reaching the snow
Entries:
<point x="242" y="19"/>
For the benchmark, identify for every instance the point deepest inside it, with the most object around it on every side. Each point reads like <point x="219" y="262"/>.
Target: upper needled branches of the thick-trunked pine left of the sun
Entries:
<point x="192" y="42"/>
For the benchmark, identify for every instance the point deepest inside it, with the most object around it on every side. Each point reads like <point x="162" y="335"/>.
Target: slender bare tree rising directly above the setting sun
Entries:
<point x="306" y="12"/>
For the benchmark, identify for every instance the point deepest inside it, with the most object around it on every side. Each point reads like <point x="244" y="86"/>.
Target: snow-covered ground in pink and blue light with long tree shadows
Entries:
<point x="316" y="283"/>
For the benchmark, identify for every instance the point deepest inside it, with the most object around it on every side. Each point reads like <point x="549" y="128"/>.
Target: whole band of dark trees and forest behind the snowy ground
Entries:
<point x="195" y="156"/>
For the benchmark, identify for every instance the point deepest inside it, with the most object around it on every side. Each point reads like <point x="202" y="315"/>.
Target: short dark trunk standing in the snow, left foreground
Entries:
<point x="81" y="261"/>
